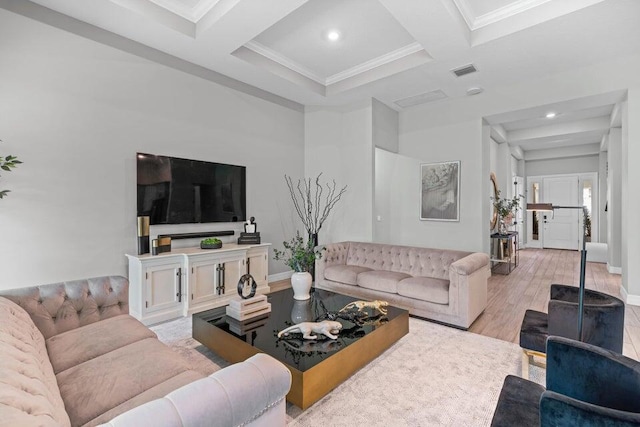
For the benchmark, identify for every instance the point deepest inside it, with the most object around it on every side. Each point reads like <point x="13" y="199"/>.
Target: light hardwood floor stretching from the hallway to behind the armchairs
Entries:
<point x="527" y="287"/>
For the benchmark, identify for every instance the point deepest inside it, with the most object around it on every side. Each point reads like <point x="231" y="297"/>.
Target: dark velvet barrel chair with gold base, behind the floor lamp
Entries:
<point x="603" y="322"/>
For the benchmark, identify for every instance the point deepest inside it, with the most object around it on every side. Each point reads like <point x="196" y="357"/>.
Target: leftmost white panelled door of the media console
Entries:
<point x="163" y="288"/>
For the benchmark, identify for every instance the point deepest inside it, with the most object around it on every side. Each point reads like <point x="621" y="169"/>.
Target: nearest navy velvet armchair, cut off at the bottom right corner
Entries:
<point x="586" y="386"/>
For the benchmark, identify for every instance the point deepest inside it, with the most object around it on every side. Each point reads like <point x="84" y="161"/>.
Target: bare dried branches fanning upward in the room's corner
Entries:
<point x="313" y="202"/>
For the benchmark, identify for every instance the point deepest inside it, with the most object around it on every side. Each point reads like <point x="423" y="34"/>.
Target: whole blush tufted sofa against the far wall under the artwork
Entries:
<point x="443" y="285"/>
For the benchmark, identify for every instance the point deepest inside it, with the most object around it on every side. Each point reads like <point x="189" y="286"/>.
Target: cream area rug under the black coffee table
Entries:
<point x="434" y="376"/>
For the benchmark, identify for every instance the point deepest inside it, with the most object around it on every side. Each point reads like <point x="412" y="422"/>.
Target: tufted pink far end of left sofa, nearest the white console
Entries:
<point x="60" y="307"/>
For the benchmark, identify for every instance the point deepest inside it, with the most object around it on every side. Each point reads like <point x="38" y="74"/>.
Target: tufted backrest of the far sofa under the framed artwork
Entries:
<point x="423" y="262"/>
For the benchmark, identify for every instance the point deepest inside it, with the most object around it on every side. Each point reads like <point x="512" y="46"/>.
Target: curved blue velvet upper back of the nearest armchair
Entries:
<point x="592" y="374"/>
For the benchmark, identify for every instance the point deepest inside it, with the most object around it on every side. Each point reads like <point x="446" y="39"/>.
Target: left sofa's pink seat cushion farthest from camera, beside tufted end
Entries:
<point x="79" y="345"/>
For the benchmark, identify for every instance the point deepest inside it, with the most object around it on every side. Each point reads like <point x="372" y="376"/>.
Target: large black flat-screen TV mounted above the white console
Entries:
<point x="178" y="191"/>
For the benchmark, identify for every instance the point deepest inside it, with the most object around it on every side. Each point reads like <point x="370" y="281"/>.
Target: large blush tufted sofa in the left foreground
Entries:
<point x="70" y="355"/>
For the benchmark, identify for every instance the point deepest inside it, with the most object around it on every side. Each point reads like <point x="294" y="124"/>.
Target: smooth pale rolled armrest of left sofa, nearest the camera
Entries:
<point x="250" y="392"/>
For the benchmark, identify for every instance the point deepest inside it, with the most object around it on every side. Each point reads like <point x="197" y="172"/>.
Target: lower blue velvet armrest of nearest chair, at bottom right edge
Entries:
<point x="558" y="410"/>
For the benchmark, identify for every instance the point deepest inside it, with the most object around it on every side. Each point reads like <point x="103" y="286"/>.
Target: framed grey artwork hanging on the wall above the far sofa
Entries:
<point x="440" y="191"/>
